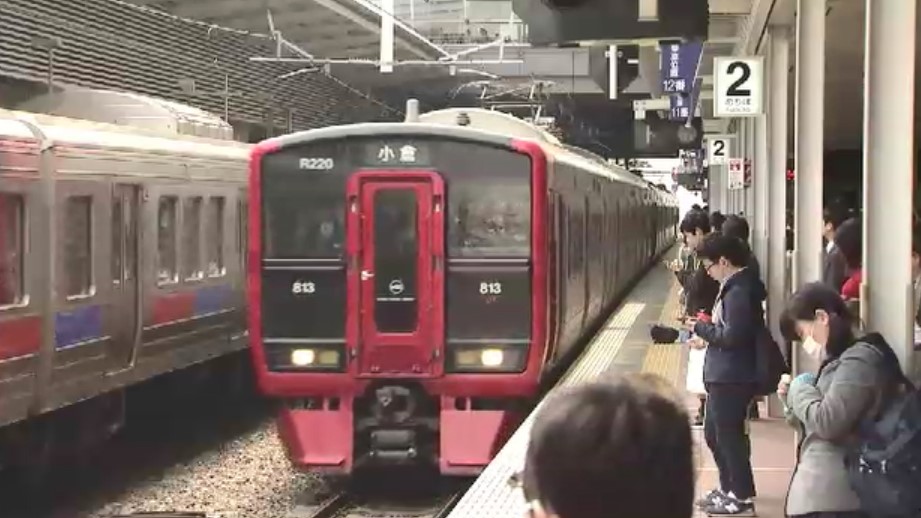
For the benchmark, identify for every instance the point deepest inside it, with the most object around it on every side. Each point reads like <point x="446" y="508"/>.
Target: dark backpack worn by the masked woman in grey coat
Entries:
<point x="884" y="468"/>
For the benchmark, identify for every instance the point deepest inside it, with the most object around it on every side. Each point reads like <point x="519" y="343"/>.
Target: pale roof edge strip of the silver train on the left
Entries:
<point x="17" y="124"/>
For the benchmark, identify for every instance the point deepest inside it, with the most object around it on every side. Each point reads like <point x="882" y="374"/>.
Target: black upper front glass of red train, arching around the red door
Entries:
<point x="488" y="191"/>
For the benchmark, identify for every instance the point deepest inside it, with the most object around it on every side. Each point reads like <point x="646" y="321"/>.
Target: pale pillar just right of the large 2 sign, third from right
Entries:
<point x="777" y="175"/>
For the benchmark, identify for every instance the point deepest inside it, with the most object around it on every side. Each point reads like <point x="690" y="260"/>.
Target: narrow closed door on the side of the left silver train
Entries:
<point x="125" y="284"/>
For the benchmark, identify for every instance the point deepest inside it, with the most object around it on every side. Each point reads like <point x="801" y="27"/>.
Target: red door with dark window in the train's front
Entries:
<point x="396" y="279"/>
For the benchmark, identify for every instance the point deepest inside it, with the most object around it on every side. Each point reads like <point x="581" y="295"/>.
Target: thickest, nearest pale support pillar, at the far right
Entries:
<point x="888" y="172"/>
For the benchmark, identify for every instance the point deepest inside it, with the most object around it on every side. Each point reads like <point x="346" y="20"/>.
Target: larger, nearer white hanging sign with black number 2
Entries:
<point x="738" y="86"/>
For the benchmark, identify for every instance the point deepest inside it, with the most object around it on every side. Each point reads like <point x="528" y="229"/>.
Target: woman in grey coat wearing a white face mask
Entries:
<point x="828" y="407"/>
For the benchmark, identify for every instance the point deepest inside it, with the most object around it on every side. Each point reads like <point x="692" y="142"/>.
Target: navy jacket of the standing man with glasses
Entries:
<point x="731" y="353"/>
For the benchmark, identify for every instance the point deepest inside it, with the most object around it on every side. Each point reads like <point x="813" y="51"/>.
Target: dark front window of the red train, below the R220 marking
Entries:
<point x="304" y="215"/>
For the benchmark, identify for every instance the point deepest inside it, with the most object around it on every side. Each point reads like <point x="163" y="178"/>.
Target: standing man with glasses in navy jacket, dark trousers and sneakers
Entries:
<point x="730" y="372"/>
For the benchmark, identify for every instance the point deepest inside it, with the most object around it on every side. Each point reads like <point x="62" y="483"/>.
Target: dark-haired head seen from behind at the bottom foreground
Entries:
<point x="609" y="450"/>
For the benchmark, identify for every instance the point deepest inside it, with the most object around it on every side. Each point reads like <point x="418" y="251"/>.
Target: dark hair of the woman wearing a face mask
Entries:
<point x="803" y="305"/>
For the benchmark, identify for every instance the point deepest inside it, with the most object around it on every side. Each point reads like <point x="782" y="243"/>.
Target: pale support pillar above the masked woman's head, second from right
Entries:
<point x="809" y="150"/>
